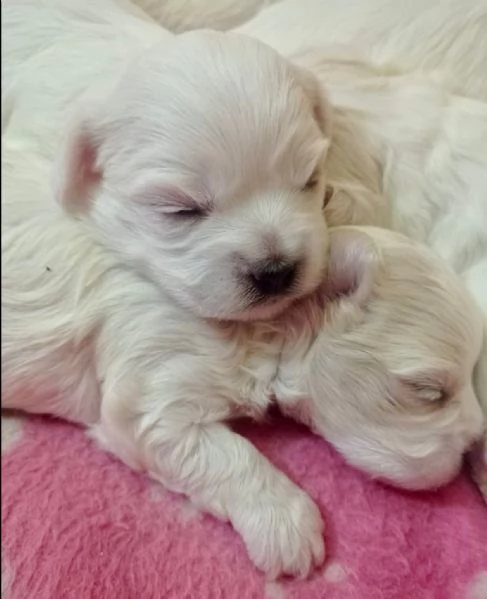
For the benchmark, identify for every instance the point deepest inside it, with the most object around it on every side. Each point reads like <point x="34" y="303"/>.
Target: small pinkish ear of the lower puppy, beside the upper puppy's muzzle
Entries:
<point x="353" y="265"/>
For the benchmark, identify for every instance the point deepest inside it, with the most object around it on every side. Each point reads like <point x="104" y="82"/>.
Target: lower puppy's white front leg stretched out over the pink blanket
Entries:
<point x="184" y="445"/>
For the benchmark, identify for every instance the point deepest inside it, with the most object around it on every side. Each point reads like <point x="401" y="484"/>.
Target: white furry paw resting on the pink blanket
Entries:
<point x="283" y="532"/>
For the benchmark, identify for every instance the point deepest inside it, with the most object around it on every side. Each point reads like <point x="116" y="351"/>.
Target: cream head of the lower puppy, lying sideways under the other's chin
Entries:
<point x="387" y="378"/>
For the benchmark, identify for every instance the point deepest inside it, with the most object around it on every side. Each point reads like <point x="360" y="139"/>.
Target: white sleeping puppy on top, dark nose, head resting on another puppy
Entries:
<point x="197" y="159"/>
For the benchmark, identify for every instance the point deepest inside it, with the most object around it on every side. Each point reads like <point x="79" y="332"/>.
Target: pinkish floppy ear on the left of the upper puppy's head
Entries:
<point x="77" y="173"/>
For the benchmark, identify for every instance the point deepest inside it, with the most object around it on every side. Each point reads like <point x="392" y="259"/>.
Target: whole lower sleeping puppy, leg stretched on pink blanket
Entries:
<point x="379" y="360"/>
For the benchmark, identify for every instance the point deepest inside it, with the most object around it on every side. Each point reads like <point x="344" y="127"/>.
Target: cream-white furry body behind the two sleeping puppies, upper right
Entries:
<point x="409" y="89"/>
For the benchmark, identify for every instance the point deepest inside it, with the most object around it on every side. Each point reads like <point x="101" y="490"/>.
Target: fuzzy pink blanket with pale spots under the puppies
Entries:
<point x="78" y="524"/>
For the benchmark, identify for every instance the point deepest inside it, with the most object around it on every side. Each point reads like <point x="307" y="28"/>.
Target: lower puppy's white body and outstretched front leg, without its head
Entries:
<point x="86" y="338"/>
